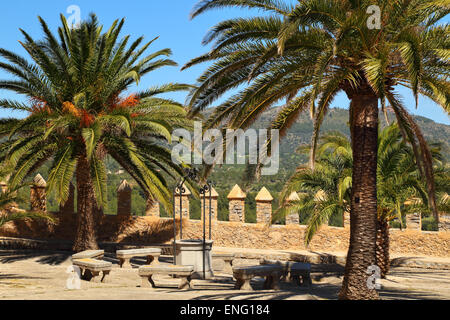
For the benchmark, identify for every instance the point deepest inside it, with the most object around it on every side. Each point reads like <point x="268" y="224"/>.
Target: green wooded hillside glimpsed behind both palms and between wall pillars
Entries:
<point x="227" y="176"/>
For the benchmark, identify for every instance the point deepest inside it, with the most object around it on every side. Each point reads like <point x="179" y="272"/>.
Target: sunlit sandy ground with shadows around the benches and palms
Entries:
<point x="42" y="275"/>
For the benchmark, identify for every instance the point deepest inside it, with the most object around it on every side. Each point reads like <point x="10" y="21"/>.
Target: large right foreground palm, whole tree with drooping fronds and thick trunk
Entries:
<point x="307" y="54"/>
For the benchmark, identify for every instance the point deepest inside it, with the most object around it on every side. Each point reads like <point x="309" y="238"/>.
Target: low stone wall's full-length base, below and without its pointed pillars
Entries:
<point x="150" y="230"/>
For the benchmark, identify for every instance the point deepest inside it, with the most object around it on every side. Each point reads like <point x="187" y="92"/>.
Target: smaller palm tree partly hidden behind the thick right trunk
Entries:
<point x="400" y="190"/>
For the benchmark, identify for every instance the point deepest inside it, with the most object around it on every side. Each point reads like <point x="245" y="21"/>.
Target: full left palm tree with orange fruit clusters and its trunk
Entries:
<point x="80" y="109"/>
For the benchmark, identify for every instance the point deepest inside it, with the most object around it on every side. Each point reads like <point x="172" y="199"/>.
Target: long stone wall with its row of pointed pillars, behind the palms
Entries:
<point x="148" y="230"/>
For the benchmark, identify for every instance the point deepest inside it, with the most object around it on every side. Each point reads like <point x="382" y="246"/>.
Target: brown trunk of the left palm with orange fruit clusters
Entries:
<point x="86" y="236"/>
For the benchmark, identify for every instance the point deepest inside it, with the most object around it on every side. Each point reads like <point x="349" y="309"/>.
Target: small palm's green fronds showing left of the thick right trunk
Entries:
<point x="325" y="191"/>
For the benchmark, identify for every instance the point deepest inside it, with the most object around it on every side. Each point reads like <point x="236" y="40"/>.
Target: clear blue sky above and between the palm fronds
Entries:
<point x="168" y="19"/>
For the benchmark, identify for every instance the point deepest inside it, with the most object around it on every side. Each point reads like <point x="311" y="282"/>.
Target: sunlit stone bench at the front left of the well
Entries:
<point x="182" y="272"/>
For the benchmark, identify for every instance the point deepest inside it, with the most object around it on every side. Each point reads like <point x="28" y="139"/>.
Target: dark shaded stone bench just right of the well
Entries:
<point x="244" y="275"/>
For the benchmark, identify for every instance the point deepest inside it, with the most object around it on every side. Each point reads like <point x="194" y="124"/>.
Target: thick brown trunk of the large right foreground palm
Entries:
<point x="363" y="215"/>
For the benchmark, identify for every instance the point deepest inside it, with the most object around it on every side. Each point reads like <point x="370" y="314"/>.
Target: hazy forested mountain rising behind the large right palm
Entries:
<point x="300" y="133"/>
